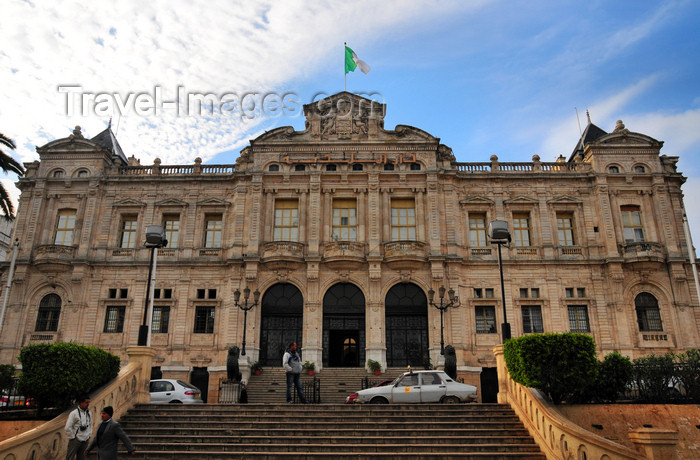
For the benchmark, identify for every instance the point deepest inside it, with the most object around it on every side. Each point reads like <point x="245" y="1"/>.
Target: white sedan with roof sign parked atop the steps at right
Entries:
<point x="420" y="387"/>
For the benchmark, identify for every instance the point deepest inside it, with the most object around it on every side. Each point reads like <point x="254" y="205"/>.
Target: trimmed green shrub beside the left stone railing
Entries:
<point x="56" y="374"/>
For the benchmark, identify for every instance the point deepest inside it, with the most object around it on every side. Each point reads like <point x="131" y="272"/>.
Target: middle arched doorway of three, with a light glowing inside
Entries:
<point x="344" y="326"/>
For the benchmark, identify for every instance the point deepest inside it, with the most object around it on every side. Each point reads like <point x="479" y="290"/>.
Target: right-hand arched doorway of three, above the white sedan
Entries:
<point x="406" y="310"/>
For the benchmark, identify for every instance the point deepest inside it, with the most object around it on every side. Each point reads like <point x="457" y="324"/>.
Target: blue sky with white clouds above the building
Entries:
<point x="485" y="76"/>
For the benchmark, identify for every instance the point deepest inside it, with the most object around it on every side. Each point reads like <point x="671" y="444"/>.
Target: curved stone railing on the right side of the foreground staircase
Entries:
<point x="556" y="435"/>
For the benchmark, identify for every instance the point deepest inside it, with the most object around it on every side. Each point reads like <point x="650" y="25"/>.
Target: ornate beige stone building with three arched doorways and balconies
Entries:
<point x="344" y="228"/>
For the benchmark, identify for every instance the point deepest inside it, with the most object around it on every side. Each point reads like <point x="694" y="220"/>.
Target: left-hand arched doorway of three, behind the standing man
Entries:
<point x="281" y="314"/>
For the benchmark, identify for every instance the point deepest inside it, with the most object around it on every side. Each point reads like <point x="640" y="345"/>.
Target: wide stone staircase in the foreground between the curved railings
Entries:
<point x="311" y="431"/>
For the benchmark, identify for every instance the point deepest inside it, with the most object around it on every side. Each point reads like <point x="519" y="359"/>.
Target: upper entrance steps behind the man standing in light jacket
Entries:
<point x="335" y="383"/>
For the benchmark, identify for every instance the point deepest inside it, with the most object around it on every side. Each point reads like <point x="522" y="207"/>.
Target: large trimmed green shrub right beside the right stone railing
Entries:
<point x="559" y="365"/>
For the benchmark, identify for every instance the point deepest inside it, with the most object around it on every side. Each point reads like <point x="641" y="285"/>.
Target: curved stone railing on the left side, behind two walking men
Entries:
<point x="48" y="440"/>
